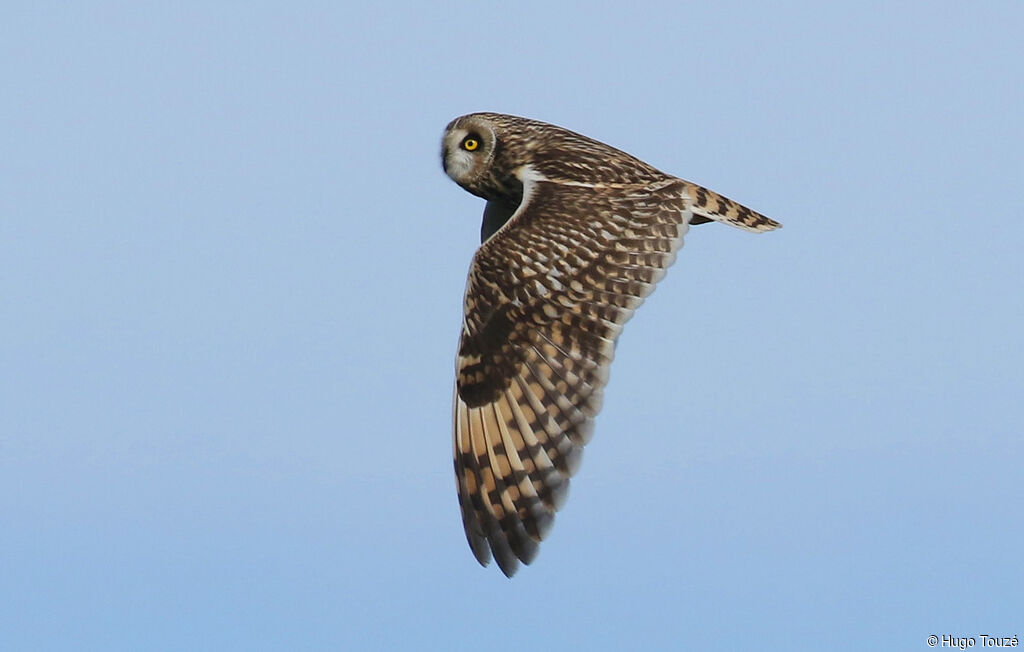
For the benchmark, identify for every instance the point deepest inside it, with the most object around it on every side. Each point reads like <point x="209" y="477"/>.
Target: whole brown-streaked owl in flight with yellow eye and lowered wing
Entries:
<point x="576" y="235"/>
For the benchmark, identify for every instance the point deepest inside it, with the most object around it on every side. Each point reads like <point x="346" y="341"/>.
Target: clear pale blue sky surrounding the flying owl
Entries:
<point x="231" y="281"/>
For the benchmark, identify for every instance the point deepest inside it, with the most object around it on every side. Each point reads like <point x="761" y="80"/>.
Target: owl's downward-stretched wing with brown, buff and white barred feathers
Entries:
<point x="546" y="300"/>
